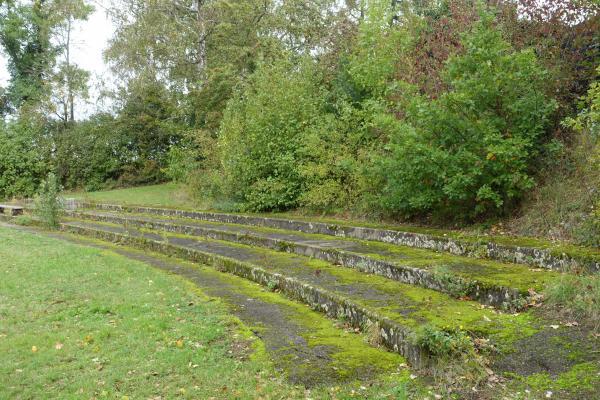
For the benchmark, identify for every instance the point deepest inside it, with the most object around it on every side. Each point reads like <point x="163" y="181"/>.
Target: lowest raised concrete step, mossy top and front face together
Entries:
<point x="396" y="310"/>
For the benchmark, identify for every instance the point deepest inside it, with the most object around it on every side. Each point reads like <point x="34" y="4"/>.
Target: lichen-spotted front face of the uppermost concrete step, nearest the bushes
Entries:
<point x="551" y="258"/>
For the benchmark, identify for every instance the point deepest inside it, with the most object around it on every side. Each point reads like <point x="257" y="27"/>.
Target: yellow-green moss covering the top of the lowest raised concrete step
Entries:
<point x="411" y="306"/>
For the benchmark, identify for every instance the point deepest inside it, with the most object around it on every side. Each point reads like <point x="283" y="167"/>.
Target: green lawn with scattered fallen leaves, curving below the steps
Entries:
<point x="77" y="322"/>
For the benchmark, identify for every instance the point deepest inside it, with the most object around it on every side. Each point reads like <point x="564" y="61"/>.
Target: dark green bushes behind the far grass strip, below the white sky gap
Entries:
<point x="131" y="148"/>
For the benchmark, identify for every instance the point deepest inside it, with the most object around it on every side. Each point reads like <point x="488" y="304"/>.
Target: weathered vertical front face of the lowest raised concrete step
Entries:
<point x="394" y="336"/>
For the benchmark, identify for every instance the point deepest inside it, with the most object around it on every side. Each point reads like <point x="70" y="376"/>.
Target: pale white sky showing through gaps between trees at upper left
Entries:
<point x="91" y="39"/>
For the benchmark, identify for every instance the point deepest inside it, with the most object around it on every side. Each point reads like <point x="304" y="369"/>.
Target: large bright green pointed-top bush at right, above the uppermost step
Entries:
<point x="470" y="151"/>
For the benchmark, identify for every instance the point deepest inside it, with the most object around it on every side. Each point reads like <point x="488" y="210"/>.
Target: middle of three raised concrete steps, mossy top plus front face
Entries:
<point x="500" y="285"/>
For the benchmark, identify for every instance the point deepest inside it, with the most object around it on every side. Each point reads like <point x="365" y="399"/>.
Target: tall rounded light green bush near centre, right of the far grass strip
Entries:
<point x="262" y="132"/>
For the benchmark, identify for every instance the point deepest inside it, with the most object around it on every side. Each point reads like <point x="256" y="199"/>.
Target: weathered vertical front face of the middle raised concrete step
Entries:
<point x="494" y="295"/>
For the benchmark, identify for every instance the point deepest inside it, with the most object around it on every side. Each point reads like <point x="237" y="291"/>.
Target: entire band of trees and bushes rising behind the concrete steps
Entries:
<point x="446" y="112"/>
